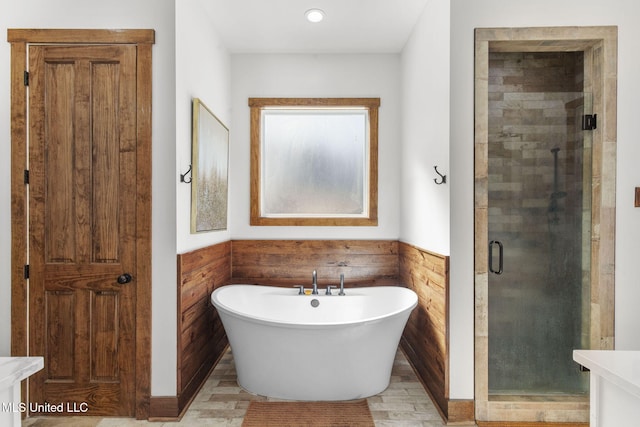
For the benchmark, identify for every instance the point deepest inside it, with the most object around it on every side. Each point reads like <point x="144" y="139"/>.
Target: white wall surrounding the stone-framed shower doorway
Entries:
<point x="467" y="15"/>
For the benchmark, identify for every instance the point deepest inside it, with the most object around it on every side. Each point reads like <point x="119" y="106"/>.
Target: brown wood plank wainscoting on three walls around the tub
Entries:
<point x="201" y="337"/>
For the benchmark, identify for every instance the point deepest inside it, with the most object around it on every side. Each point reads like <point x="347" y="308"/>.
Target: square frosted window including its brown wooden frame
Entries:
<point x="314" y="163"/>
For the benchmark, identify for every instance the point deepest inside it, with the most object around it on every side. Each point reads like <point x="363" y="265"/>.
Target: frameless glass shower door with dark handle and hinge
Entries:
<point x="539" y="201"/>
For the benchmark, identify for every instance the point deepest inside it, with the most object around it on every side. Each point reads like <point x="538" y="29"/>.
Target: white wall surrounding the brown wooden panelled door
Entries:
<point x="113" y="14"/>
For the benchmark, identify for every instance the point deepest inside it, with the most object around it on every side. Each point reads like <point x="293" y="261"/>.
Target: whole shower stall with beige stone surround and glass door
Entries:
<point x="544" y="211"/>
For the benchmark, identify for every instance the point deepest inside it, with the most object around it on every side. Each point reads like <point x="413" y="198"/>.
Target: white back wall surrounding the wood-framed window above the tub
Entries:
<point x="316" y="76"/>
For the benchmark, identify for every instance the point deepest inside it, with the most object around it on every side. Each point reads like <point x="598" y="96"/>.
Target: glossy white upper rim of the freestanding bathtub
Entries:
<point x="291" y="324"/>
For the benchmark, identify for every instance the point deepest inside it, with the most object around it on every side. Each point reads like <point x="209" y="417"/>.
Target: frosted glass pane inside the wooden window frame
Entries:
<point x="314" y="163"/>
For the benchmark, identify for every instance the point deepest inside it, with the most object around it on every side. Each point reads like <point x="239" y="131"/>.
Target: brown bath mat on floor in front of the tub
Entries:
<point x="298" y="414"/>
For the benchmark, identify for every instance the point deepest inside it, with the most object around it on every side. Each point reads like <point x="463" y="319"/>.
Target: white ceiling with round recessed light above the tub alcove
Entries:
<point x="279" y="26"/>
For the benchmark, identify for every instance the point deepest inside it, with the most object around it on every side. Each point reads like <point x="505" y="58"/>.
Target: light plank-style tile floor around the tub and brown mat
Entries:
<point x="221" y="402"/>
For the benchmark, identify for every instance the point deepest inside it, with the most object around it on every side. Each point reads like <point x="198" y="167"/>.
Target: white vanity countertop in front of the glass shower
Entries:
<point x="620" y="367"/>
